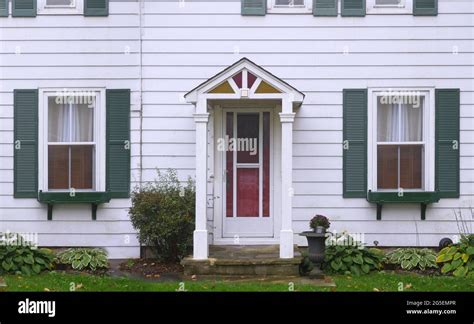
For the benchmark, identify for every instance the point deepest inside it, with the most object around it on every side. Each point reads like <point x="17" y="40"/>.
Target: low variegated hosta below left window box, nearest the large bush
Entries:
<point x="84" y="258"/>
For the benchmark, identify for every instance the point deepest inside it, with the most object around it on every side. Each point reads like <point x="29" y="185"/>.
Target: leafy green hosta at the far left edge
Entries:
<point x="20" y="257"/>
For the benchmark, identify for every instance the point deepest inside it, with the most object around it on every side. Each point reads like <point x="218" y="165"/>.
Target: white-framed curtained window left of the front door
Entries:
<point x="73" y="141"/>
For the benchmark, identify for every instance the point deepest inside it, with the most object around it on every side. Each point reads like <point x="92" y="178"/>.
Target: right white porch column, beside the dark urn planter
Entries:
<point x="286" y="234"/>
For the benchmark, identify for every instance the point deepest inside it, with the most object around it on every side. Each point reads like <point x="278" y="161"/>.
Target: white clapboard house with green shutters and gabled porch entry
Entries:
<point x="359" y="110"/>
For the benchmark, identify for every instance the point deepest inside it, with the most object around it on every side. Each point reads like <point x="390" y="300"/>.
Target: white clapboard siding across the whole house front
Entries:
<point x="183" y="46"/>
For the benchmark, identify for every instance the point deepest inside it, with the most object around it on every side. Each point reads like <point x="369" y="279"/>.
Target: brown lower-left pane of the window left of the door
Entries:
<point x="58" y="167"/>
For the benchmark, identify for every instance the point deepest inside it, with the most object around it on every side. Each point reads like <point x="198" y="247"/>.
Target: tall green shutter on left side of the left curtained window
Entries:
<point x="25" y="143"/>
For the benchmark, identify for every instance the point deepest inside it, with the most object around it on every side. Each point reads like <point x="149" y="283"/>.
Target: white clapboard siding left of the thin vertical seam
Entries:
<point x="68" y="51"/>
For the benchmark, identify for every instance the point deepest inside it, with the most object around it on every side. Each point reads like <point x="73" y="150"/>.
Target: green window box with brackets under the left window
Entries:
<point x="54" y="198"/>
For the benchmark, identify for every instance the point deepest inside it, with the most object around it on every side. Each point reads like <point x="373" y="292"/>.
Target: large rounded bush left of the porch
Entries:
<point x="163" y="214"/>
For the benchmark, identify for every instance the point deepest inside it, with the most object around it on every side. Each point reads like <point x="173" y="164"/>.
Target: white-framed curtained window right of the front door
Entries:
<point x="402" y="142"/>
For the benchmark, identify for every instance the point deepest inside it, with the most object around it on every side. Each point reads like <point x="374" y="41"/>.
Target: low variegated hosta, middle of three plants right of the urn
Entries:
<point x="412" y="258"/>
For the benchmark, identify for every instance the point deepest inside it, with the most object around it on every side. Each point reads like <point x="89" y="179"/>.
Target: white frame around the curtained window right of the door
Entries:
<point x="428" y="176"/>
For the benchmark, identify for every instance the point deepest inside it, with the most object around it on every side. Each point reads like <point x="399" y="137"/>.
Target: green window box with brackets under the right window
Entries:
<point x="421" y="197"/>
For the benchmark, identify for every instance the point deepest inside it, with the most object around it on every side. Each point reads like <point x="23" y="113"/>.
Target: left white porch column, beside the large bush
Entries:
<point x="200" y="245"/>
